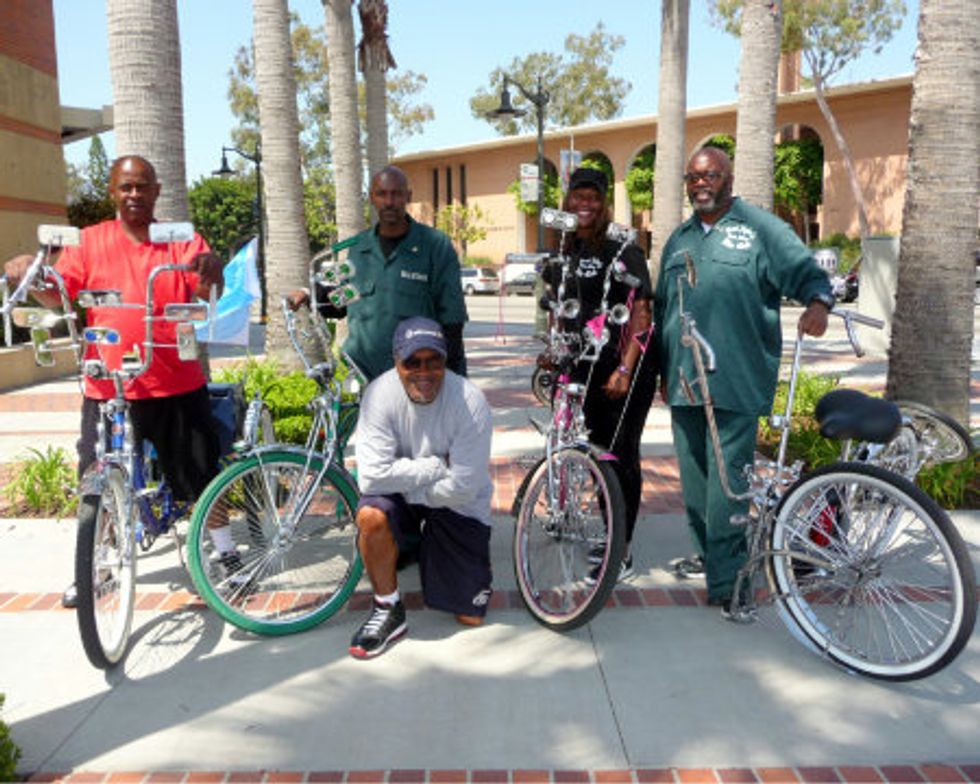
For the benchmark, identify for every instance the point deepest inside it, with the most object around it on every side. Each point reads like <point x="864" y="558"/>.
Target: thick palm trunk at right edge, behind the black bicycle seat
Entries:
<point x="929" y="358"/>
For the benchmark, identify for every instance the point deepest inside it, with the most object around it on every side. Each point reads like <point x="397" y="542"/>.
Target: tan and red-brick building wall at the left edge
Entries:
<point x="32" y="167"/>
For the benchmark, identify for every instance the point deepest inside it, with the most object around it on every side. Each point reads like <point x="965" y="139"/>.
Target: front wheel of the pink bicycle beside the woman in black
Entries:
<point x="559" y="585"/>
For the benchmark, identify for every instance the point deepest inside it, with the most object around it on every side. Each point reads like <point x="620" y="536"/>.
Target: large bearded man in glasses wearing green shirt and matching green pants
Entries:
<point x="746" y="260"/>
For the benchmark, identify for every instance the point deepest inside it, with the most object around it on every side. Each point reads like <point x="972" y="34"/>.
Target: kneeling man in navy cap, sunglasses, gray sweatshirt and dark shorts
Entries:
<point x="423" y="455"/>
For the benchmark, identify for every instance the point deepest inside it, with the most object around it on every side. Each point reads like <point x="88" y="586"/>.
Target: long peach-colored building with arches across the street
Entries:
<point x="873" y="116"/>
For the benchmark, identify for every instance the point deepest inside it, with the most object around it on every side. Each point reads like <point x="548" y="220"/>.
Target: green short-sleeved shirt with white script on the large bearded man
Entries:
<point x="745" y="264"/>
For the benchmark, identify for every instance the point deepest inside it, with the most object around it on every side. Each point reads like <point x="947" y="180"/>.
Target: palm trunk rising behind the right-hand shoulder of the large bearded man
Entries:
<point x="762" y="27"/>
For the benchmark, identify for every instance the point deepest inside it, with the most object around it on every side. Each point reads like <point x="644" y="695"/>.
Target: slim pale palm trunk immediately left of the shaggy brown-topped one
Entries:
<point x="345" y="137"/>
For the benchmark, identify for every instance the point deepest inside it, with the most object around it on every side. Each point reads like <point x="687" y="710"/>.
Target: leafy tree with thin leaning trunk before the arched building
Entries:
<point x="830" y="34"/>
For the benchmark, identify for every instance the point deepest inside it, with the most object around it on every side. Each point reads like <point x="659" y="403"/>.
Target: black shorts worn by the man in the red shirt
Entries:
<point x="181" y="431"/>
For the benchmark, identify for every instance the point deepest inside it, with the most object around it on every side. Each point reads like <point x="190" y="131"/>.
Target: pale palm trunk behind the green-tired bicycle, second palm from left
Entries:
<point x="287" y="246"/>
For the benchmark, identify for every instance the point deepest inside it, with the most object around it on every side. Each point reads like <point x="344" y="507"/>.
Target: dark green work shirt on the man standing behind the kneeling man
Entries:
<point x="420" y="278"/>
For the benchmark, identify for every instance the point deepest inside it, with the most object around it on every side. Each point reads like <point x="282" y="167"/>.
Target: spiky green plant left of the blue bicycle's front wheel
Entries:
<point x="44" y="484"/>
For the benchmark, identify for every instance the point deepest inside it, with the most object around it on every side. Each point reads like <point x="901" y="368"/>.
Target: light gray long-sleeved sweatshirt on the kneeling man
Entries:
<point x="437" y="455"/>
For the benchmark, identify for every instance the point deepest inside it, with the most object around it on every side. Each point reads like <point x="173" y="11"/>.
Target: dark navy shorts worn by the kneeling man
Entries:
<point x="454" y="552"/>
